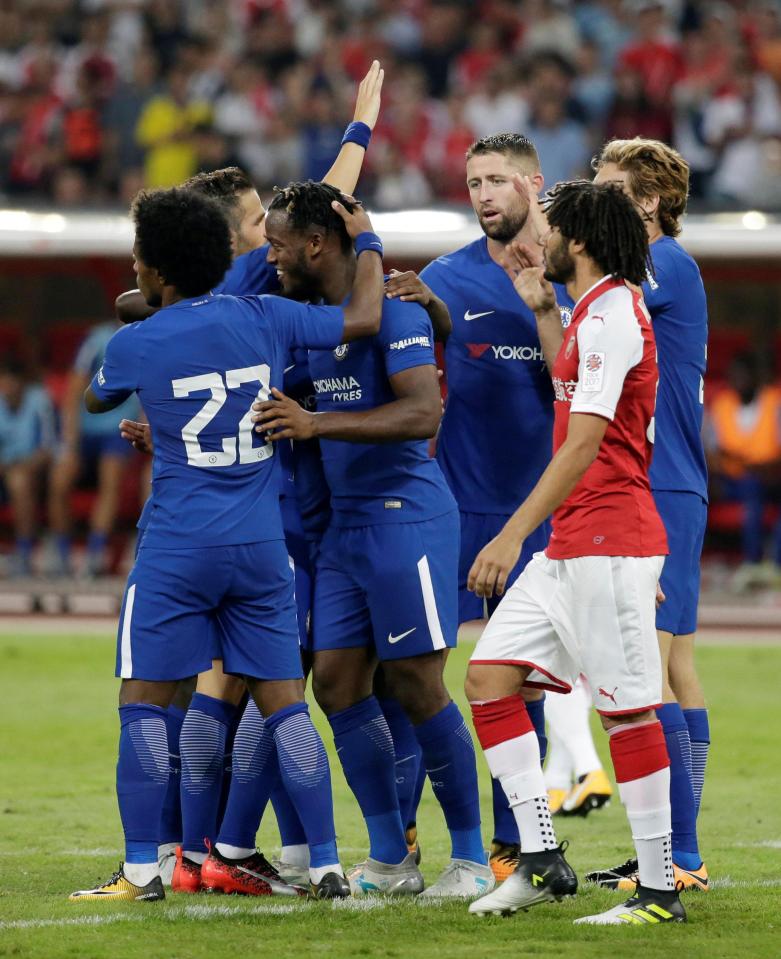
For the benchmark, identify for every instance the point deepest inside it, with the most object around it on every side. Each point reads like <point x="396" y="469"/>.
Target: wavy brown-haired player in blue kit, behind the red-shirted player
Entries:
<point x="656" y="177"/>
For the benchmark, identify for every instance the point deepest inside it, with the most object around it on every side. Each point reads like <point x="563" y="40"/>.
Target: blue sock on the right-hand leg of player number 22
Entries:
<point x="307" y="778"/>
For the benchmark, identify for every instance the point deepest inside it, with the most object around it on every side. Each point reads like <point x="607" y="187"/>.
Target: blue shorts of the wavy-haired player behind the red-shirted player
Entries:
<point x="684" y="516"/>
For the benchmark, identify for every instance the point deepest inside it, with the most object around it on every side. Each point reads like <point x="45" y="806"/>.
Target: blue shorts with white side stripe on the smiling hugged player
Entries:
<point x="391" y="586"/>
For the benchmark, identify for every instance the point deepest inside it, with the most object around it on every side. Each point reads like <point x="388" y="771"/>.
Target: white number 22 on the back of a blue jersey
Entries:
<point x="219" y="386"/>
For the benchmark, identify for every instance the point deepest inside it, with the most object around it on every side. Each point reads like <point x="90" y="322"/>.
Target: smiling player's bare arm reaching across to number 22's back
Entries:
<point x="414" y="414"/>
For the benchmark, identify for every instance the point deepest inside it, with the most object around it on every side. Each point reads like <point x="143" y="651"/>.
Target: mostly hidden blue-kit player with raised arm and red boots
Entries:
<point x="203" y="734"/>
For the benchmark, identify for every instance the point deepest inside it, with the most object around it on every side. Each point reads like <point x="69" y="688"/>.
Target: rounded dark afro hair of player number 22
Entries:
<point x="184" y="236"/>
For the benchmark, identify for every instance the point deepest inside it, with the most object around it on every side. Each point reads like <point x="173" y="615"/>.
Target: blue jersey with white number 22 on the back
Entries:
<point x="197" y="367"/>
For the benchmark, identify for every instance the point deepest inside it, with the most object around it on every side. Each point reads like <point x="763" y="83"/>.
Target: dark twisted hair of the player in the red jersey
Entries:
<point x="606" y="221"/>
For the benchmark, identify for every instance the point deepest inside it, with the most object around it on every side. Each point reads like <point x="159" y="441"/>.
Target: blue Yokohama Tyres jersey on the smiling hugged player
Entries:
<point x="384" y="482"/>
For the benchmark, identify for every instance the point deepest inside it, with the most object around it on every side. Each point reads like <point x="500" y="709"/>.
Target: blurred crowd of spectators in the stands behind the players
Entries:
<point x="101" y="97"/>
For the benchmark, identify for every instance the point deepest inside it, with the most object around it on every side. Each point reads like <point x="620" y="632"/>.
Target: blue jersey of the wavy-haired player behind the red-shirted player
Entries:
<point x="675" y="298"/>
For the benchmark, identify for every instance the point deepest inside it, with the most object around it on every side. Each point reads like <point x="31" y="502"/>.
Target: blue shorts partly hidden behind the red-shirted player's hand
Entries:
<point x="477" y="529"/>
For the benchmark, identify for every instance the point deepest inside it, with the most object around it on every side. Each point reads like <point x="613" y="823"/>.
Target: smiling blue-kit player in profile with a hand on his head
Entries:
<point x="386" y="577"/>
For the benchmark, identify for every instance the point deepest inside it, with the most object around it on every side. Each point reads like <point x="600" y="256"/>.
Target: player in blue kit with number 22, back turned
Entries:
<point x="213" y="564"/>
